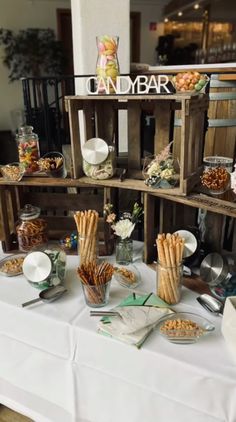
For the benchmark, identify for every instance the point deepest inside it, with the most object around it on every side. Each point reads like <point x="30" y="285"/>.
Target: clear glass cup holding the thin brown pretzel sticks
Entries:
<point x="96" y="296"/>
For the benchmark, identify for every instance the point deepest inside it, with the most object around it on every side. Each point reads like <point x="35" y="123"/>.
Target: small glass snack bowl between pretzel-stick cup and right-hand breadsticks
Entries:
<point x="126" y="281"/>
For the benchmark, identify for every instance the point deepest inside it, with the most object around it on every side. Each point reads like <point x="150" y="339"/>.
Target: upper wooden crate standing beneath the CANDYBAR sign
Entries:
<point x="100" y="115"/>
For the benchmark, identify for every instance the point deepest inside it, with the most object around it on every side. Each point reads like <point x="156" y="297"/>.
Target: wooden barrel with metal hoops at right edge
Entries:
<point x="221" y="133"/>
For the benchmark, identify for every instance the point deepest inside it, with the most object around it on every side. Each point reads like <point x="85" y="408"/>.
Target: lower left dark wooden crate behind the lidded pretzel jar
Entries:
<point x="57" y="206"/>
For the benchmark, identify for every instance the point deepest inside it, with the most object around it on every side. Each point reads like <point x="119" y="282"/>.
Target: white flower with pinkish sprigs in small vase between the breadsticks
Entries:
<point x="124" y="227"/>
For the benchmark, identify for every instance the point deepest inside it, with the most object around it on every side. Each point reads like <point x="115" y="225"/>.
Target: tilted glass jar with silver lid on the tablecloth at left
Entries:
<point x="45" y="266"/>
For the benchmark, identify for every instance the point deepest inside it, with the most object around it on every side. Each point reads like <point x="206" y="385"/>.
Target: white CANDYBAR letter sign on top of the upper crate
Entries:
<point x="142" y="84"/>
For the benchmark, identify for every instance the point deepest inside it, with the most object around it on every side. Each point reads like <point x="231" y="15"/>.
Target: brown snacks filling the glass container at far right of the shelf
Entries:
<point x="216" y="180"/>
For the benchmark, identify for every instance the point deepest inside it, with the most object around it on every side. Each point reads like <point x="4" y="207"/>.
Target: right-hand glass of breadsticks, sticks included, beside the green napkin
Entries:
<point x="170" y="249"/>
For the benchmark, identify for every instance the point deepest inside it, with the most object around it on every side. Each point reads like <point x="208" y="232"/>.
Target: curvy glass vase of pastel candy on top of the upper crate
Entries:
<point x="107" y="66"/>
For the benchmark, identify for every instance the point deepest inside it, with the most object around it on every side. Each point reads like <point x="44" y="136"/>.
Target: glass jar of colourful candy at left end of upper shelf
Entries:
<point x="28" y="148"/>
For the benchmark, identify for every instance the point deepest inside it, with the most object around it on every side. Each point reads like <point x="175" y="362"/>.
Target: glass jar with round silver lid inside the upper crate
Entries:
<point x="99" y="159"/>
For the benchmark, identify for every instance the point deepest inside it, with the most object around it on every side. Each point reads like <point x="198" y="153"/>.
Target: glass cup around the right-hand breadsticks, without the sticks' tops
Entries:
<point x="169" y="282"/>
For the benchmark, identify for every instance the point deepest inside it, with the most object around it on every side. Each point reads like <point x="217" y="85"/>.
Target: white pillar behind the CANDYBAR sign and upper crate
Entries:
<point x="99" y="17"/>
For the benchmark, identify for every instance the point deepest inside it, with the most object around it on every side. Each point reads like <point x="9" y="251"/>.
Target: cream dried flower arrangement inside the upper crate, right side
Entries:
<point x="159" y="171"/>
